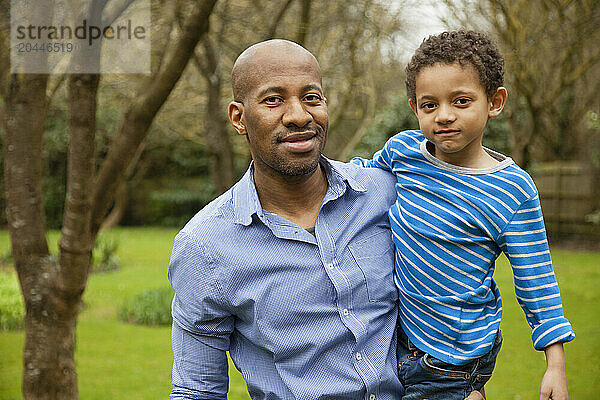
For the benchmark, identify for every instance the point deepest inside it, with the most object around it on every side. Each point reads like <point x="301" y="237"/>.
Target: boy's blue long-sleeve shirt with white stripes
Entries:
<point x="449" y="225"/>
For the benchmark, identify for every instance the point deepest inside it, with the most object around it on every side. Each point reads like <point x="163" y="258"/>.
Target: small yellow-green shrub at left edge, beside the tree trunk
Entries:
<point x="12" y="310"/>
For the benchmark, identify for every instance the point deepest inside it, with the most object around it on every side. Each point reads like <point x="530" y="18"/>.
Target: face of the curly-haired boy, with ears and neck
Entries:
<point x="453" y="108"/>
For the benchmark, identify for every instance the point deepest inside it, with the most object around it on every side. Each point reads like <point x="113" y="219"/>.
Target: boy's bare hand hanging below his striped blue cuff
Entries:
<point x="554" y="381"/>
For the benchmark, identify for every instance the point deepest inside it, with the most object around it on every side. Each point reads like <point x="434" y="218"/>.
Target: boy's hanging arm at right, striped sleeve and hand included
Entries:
<point x="525" y="244"/>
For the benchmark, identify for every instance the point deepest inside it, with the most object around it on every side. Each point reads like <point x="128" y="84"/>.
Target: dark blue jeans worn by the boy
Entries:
<point x="426" y="377"/>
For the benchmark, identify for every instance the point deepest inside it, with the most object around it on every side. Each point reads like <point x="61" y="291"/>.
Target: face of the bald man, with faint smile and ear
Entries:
<point x="284" y="114"/>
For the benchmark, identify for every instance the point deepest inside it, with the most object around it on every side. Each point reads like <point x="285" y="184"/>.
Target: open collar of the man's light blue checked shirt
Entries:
<point x="245" y="197"/>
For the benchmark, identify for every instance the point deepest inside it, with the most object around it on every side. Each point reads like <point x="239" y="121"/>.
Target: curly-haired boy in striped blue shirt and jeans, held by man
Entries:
<point x="459" y="205"/>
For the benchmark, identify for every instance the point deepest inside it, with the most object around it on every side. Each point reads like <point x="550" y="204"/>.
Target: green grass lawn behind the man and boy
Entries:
<point x="116" y="360"/>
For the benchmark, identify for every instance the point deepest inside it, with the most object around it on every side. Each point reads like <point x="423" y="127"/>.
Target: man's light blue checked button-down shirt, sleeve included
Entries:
<point x="303" y="316"/>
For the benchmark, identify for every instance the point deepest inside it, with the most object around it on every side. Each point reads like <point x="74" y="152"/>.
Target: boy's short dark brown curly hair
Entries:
<point x="464" y="47"/>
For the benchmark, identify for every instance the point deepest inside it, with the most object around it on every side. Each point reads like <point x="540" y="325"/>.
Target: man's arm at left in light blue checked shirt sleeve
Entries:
<point x="202" y="325"/>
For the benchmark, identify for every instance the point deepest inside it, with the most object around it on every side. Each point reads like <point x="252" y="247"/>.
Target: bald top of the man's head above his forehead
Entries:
<point x="260" y="57"/>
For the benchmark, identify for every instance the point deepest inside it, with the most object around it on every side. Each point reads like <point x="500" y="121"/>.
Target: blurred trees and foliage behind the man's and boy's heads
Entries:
<point x="551" y="72"/>
